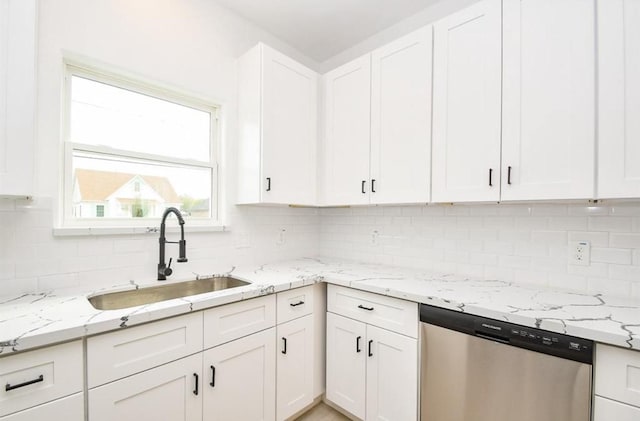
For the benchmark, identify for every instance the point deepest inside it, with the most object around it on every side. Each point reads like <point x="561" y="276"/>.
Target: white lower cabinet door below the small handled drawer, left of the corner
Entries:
<point x="294" y="388"/>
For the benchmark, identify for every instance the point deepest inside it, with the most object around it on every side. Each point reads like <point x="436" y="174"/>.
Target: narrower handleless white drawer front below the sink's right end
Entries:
<point x="232" y="321"/>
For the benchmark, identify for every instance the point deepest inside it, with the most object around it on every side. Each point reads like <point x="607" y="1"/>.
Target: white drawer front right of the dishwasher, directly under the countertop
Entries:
<point x="618" y="374"/>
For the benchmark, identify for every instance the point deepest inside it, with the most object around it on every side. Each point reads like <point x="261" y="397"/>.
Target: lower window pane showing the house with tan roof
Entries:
<point x="115" y="187"/>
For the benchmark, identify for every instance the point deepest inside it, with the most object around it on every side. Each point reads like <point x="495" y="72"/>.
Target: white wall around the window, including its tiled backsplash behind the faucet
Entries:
<point x="188" y="44"/>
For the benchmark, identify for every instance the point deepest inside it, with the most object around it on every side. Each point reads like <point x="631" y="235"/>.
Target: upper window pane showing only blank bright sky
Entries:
<point x="106" y="115"/>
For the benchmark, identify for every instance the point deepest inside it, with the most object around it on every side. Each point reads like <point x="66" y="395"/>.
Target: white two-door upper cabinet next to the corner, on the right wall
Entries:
<point x="378" y="125"/>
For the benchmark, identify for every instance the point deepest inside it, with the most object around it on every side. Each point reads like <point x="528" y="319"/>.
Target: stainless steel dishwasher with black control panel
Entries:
<point x="479" y="369"/>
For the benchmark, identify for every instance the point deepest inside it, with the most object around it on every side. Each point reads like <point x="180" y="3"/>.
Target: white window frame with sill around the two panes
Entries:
<point x="67" y="224"/>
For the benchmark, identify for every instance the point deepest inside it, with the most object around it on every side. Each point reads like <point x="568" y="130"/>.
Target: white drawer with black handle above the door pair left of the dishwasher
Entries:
<point x="379" y="310"/>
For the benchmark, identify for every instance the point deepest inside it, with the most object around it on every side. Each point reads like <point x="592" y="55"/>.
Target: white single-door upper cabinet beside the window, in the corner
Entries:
<point x="278" y="129"/>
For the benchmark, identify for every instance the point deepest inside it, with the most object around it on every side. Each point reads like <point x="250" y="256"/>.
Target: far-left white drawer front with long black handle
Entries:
<point x="40" y="376"/>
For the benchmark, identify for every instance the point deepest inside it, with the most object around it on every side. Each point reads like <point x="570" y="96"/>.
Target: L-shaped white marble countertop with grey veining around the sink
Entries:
<point x="33" y="320"/>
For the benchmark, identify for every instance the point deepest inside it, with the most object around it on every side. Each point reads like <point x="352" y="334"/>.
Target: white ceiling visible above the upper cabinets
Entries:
<point x="321" y="29"/>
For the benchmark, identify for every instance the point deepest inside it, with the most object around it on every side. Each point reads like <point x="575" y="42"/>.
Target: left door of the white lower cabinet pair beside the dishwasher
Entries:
<point x="346" y="363"/>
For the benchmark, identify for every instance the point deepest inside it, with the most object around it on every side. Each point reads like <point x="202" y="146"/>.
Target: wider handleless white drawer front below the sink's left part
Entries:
<point x="124" y="352"/>
